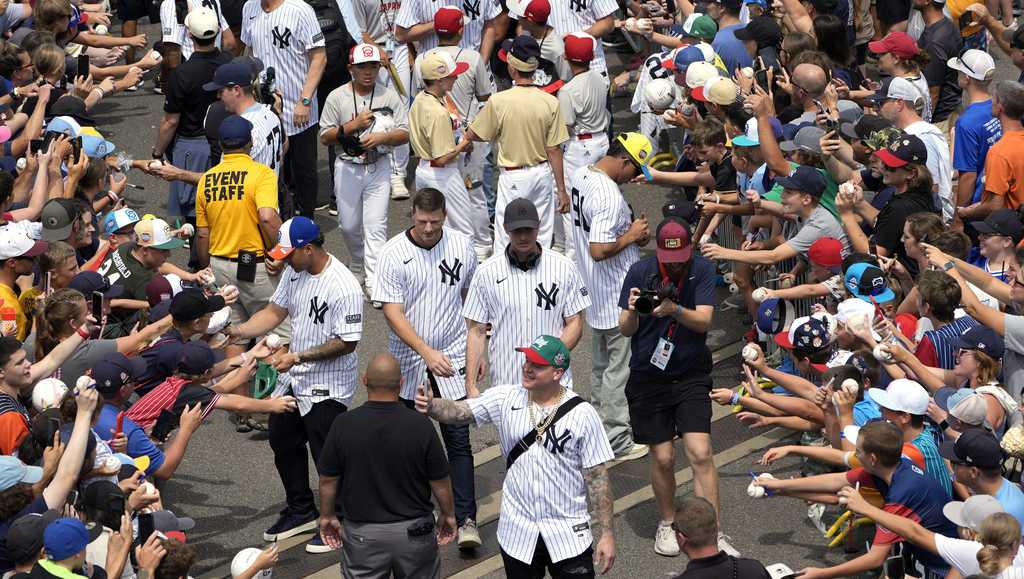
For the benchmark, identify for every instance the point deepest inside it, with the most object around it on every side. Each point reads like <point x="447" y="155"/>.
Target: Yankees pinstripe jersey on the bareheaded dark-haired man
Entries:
<point x="430" y="284"/>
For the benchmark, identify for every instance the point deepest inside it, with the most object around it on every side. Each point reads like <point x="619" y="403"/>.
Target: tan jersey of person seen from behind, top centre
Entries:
<point x="525" y="121"/>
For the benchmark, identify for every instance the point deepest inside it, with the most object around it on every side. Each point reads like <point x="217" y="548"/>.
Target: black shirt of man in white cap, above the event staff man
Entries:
<point x="185" y="95"/>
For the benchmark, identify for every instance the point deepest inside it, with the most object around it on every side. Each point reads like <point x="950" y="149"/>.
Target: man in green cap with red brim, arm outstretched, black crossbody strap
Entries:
<point x="557" y="456"/>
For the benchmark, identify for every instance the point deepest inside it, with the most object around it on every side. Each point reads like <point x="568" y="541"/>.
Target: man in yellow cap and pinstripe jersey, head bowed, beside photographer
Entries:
<point x="609" y="239"/>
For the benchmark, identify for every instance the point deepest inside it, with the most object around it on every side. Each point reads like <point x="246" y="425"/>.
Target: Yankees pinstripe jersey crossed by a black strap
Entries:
<point x="544" y="492"/>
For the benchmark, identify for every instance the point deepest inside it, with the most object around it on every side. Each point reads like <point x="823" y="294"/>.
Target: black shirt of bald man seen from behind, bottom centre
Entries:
<point x="386" y="457"/>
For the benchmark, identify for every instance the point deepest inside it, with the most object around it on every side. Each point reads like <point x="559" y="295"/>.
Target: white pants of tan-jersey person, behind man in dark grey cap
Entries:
<point x="536" y="184"/>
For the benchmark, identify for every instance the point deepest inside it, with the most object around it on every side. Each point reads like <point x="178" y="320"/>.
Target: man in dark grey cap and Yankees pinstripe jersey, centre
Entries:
<point x="522" y="292"/>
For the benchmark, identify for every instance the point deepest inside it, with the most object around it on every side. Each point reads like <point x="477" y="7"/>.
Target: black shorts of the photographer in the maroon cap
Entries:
<point x="660" y="410"/>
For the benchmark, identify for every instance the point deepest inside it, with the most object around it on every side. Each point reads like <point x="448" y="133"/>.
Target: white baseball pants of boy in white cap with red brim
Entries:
<point x="363" y="193"/>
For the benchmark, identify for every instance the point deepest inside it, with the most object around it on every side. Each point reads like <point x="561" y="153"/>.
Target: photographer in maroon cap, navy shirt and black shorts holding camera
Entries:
<point x="667" y="303"/>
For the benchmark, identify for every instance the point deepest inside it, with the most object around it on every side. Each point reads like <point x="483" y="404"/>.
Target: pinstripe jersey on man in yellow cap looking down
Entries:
<point x="601" y="215"/>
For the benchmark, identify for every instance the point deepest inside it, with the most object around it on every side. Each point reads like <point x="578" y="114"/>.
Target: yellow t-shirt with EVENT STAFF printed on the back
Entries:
<point x="228" y="201"/>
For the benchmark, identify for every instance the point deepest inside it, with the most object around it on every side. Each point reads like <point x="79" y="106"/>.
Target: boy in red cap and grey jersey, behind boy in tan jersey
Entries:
<point x="472" y="89"/>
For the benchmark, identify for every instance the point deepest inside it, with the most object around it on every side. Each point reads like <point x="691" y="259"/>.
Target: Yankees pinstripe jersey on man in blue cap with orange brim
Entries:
<point x="322" y="308"/>
